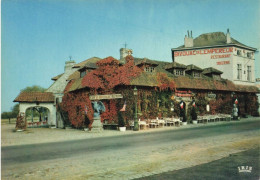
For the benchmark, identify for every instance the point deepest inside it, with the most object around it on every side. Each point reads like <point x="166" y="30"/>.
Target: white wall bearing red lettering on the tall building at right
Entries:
<point x="225" y="61"/>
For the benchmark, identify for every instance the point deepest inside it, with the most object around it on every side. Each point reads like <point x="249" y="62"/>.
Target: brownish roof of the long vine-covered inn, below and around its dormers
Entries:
<point x="182" y="82"/>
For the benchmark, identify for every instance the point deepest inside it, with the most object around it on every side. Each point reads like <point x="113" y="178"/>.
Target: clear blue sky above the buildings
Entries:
<point x="38" y="36"/>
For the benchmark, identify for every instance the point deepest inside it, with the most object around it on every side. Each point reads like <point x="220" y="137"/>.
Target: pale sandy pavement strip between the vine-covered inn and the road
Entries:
<point x="46" y="135"/>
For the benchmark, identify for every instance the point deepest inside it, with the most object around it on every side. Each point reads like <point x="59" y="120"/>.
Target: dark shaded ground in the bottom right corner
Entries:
<point x="225" y="168"/>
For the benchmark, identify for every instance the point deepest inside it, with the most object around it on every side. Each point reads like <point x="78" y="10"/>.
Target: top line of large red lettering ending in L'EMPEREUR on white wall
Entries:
<point x="203" y="51"/>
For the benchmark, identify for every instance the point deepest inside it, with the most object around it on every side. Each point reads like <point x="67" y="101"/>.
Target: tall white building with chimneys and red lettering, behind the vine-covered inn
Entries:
<point x="220" y="51"/>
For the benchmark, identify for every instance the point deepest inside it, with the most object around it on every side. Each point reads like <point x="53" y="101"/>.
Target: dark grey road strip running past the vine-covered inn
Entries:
<point x="49" y="151"/>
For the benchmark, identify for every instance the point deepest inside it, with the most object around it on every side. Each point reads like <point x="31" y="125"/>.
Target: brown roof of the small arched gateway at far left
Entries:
<point x="35" y="97"/>
